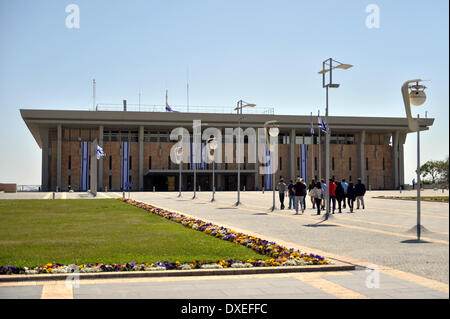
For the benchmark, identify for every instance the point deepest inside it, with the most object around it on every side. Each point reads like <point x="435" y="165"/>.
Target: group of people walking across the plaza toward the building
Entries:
<point x="342" y="192"/>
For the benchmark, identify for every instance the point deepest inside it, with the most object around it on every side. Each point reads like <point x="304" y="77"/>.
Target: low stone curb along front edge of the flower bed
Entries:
<point x="338" y="266"/>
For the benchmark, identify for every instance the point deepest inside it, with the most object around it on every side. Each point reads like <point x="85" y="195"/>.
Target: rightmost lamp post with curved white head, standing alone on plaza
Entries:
<point x="416" y="97"/>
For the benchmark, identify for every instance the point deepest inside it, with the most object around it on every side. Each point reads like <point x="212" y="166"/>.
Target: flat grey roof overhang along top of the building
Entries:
<point x="36" y="119"/>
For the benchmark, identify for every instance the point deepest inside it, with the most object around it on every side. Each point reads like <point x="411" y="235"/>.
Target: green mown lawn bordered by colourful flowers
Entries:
<point x="37" y="232"/>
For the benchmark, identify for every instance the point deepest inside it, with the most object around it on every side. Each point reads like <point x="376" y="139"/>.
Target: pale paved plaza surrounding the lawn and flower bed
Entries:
<point x="377" y="238"/>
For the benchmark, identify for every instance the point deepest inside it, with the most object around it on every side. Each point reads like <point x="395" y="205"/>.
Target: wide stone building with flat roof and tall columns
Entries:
<point x="370" y="148"/>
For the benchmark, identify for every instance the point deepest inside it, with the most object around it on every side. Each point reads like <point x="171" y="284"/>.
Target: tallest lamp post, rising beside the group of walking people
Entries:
<point x="327" y="66"/>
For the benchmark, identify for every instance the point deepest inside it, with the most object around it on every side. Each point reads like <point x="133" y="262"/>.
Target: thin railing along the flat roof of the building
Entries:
<point x="184" y="109"/>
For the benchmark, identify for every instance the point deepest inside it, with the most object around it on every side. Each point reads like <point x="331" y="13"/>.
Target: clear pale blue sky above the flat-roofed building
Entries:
<point x="266" y="52"/>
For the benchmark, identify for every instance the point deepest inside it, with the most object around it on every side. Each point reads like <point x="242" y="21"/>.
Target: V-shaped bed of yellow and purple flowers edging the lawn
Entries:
<point x="280" y="256"/>
